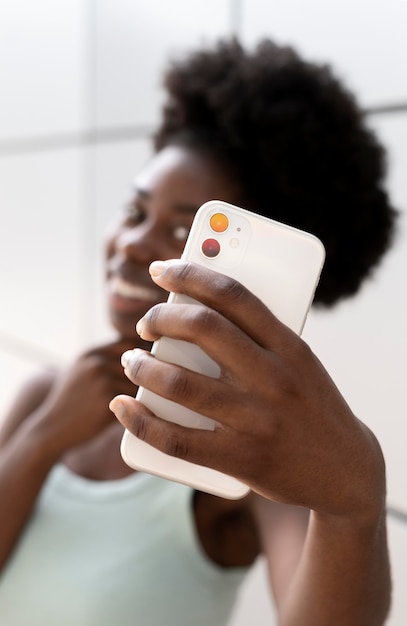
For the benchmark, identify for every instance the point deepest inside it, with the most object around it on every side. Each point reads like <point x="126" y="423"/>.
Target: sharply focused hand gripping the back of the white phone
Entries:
<point x="284" y="428"/>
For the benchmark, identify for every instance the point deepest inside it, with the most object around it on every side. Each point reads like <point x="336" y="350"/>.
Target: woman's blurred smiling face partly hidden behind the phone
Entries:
<point x="155" y="224"/>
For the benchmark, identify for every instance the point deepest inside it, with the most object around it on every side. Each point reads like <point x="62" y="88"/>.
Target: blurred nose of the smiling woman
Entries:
<point x="141" y="244"/>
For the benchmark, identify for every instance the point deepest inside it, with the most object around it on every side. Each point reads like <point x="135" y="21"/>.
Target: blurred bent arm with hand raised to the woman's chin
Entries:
<point x="51" y="415"/>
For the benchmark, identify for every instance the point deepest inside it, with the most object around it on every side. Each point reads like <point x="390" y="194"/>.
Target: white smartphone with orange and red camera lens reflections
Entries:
<point x="281" y="265"/>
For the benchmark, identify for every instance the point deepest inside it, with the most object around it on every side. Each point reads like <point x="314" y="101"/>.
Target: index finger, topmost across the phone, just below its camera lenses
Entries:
<point x="223" y="294"/>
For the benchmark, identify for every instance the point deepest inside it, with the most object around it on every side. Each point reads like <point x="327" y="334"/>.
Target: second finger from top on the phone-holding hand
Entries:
<point x="220" y="339"/>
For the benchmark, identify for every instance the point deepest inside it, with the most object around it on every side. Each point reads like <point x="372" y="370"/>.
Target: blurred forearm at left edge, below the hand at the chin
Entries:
<point x="25" y="461"/>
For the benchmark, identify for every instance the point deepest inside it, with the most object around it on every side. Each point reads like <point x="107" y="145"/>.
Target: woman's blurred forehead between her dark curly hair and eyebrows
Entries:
<point x="185" y="174"/>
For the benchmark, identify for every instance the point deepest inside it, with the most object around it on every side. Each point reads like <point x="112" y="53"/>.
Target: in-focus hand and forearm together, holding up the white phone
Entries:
<point x="285" y="430"/>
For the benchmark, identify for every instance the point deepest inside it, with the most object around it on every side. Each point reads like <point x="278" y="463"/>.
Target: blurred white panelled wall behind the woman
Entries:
<point x="79" y="97"/>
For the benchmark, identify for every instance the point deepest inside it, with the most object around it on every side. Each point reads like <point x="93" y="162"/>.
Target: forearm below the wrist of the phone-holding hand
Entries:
<point x="343" y="576"/>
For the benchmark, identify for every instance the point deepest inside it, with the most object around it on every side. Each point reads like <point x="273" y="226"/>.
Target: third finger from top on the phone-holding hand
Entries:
<point x="205" y="395"/>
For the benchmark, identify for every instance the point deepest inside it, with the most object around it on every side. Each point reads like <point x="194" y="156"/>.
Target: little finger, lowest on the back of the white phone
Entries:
<point x="216" y="449"/>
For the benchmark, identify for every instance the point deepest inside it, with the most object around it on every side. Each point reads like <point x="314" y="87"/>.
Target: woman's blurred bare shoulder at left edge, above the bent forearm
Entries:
<point x="31" y="395"/>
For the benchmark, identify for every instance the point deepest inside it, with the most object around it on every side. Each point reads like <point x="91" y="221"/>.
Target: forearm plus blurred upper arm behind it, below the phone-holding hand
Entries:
<point x="320" y="572"/>
